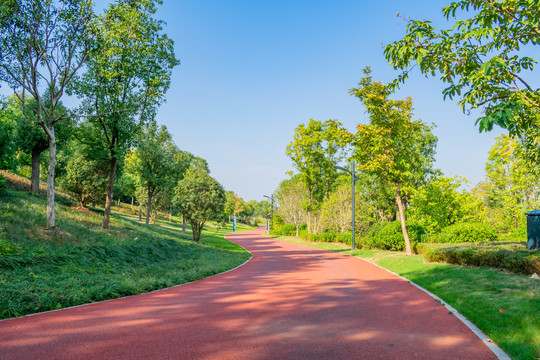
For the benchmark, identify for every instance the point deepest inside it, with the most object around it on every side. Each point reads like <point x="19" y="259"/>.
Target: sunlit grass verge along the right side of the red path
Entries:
<point x="506" y="307"/>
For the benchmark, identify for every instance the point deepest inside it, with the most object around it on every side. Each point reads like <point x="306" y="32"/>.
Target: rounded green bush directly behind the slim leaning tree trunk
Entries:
<point x="390" y="237"/>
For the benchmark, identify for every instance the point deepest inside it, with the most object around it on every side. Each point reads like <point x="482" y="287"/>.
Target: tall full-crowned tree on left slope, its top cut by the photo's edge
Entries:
<point x="128" y="72"/>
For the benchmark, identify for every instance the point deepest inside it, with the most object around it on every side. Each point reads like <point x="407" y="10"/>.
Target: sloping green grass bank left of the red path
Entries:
<point x="85" y="263"/>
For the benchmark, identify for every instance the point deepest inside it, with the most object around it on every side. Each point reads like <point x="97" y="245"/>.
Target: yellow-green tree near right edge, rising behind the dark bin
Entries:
<point x="511" y="184"/>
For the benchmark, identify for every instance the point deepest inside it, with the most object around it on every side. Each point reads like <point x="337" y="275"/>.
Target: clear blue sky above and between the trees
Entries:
<point x="251" y="71"/>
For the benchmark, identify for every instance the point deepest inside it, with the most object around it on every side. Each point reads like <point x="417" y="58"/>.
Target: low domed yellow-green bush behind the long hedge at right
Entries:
<point x="466" y="232"/>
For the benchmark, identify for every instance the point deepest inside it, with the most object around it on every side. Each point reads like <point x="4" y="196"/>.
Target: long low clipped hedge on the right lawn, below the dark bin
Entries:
<point x="513" y="257"/>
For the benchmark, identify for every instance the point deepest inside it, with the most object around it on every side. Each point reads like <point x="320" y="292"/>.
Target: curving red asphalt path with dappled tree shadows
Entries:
<point x="288" y="302"/>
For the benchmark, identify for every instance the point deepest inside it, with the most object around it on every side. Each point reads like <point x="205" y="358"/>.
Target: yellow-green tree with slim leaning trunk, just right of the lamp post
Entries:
<point x="393" y="147"/>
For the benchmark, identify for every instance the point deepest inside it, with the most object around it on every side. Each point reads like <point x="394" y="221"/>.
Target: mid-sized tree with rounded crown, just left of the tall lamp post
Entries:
<point x="316" y="148"/>
